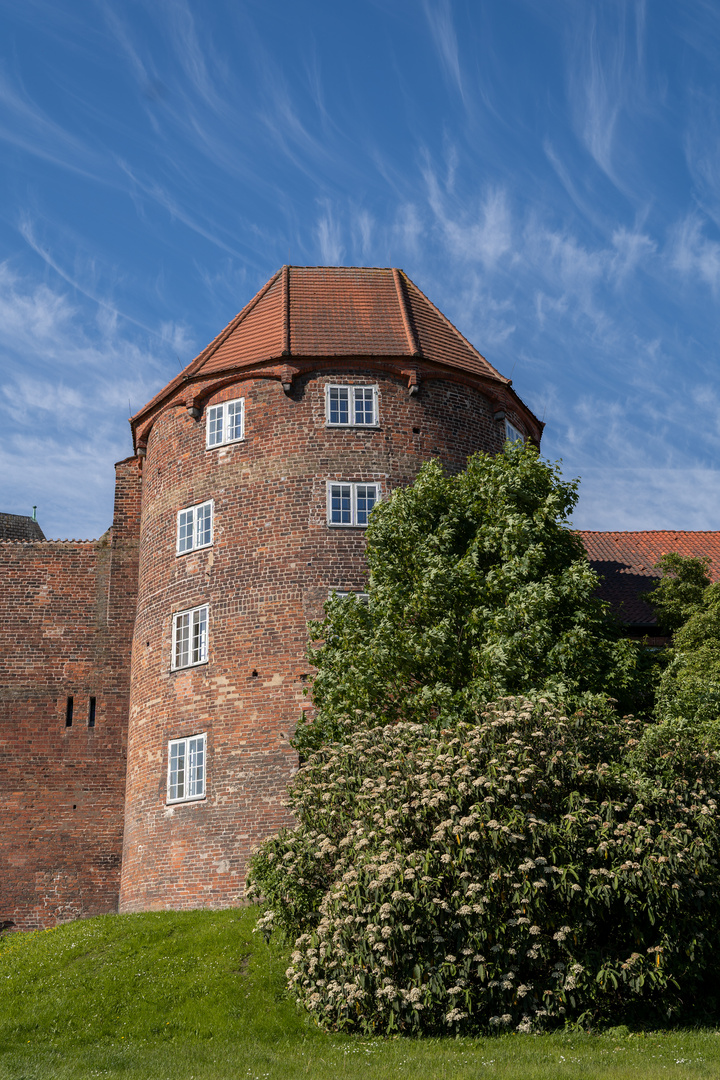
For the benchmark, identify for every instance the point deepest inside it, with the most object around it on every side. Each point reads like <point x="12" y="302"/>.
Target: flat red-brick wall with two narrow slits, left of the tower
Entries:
<point x="66" y="633"/>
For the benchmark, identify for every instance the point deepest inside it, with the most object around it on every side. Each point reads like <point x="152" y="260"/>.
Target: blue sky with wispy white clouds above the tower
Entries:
<point x="548" y="171"/>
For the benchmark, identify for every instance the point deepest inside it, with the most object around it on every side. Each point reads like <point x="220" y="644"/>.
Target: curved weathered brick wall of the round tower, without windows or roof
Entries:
<point x="269" y="571"/>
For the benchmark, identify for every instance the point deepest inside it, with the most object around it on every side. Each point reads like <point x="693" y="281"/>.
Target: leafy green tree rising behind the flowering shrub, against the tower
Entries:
<point x="478" y="589"/>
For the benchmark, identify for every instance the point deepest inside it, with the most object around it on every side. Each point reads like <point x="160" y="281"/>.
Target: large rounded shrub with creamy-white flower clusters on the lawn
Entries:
<point x="494" y="874"/>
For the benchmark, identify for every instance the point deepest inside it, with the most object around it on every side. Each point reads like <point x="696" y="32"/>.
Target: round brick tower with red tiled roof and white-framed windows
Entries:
<point x="261" y="465"/>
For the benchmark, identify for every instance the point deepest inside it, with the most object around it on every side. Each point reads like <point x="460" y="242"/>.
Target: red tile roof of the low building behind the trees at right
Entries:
<point x="627" y="564"/>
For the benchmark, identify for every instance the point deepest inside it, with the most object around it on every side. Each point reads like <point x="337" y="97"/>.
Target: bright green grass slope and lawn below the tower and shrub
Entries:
<point x="196" y="996"/>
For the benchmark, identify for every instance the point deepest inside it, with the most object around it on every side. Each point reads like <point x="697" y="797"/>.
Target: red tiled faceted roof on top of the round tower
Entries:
<point x="336" y="312"/>
